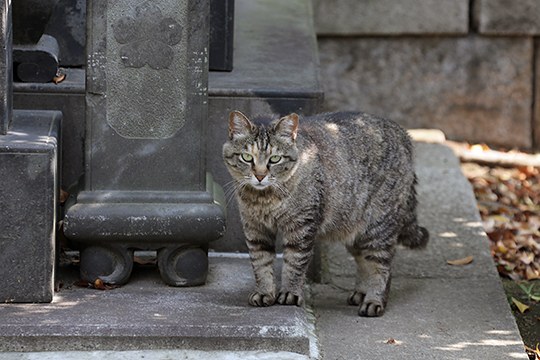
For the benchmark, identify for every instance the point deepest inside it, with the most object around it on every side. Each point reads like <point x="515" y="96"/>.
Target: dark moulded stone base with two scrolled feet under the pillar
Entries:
<point x="109" y="225"/>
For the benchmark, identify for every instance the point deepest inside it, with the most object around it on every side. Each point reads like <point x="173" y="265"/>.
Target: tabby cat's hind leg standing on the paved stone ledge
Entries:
<point x="372" y="278"/>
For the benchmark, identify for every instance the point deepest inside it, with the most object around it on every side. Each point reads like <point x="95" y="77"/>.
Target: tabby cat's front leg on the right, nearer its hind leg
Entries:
<point x="297" y="254"/>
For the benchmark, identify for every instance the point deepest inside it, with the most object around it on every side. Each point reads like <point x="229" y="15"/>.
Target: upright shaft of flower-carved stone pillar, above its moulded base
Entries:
<point x="146" y="97"/>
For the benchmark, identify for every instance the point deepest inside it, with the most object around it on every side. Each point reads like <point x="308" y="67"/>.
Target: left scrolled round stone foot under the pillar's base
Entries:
<point x="111" y="265"/>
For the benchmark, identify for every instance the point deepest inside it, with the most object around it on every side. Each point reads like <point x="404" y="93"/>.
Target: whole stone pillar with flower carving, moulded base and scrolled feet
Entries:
<point x="146" y="184"/>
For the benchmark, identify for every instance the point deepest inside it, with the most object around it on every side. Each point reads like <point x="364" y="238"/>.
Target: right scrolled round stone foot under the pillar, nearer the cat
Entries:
<point x="183" y="266"/>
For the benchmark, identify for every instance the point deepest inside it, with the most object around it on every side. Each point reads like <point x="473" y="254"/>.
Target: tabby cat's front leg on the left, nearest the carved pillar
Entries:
<point x="262" y="253"/>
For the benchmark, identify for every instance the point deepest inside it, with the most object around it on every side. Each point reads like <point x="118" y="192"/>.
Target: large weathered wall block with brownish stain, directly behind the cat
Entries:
<point x="476" y="89"/>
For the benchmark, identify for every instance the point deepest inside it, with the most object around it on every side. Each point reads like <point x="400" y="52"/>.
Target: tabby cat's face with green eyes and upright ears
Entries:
<point x="261" y="156"/>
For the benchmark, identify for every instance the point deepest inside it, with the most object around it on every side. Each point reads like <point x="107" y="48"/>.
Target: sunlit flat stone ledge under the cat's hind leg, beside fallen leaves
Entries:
<point x="435" y="310"/>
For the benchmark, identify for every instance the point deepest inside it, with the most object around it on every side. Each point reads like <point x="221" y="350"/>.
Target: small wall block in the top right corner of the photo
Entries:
<point x="508" y="17"/>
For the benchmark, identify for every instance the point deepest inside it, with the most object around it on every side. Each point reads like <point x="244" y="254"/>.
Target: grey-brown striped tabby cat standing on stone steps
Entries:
<point x="344" y="176"/>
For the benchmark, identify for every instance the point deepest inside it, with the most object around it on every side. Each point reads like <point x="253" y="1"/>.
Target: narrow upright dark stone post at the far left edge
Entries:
<point x="6" y="74"/>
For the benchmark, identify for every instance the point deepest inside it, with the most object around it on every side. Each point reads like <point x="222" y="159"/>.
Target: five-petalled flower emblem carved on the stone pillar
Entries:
<point x="147" y="38"/>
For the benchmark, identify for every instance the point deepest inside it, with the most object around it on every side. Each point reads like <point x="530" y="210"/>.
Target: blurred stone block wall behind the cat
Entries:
<point x="467" y="67"/>
